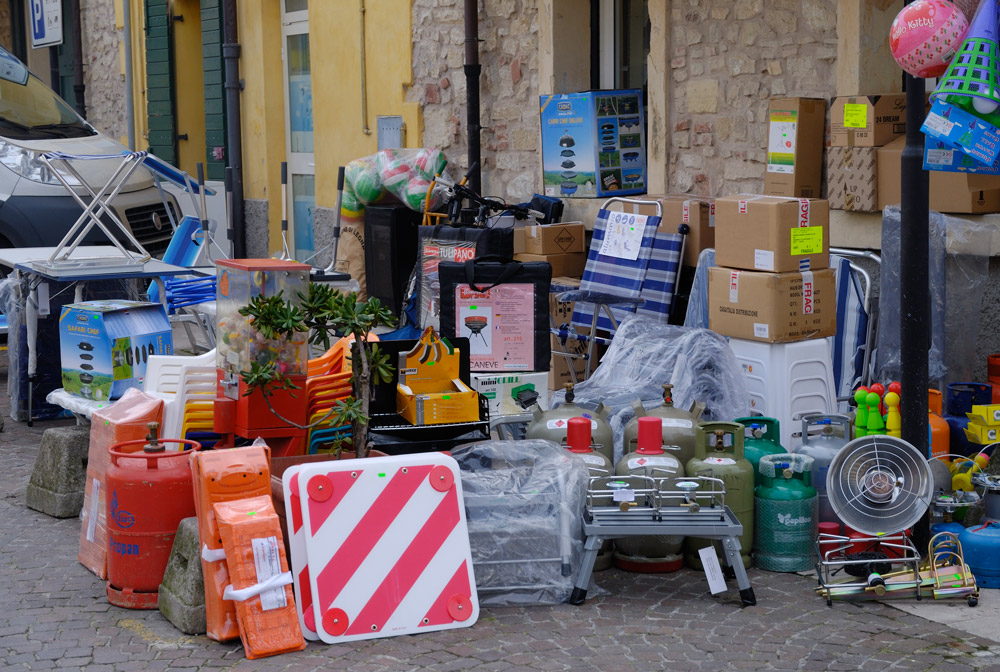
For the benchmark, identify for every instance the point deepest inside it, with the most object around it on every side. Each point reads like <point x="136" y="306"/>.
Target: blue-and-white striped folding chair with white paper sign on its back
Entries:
<point x="631" y="268"/>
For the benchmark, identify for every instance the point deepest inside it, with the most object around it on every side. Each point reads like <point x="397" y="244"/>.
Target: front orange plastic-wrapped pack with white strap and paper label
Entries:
<point x="255" y="555"/>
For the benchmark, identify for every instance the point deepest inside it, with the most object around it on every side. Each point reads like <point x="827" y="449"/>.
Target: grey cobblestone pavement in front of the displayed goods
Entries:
<point x="53" y="614"/>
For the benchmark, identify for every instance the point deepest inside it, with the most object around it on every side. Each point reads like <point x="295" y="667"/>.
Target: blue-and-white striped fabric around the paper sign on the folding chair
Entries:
<point x="612" y="275"/>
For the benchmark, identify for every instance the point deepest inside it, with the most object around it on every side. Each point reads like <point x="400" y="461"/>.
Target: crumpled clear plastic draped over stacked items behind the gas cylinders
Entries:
<point x="644" y="355"/>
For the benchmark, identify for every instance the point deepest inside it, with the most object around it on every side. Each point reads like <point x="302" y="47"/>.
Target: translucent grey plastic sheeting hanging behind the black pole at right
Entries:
<point x="958" y="273"/>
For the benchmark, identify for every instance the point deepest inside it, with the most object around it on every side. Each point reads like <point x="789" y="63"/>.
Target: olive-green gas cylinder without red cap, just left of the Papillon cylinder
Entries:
<point x="718" y="452"/>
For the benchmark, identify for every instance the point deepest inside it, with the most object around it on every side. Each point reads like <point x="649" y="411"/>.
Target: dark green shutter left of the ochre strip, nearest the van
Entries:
<point x="161" y="104"/>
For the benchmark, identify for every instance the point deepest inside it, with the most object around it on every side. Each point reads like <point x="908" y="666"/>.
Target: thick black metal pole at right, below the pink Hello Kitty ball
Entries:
<point x="914" y="284"/>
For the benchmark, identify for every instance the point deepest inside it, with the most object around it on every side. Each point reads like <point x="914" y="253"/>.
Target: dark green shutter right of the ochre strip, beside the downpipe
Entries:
<point x="216" y="153"/>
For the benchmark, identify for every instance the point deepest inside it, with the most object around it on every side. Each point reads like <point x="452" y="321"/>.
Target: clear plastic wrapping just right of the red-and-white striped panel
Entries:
<point x="524" y="503"/>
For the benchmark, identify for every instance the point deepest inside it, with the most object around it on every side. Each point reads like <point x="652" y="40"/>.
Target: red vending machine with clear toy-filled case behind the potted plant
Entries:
<point x="239" y="345"/>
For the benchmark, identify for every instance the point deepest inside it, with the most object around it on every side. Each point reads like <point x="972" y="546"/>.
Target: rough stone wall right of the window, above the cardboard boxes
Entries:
<point x="727" y="59"/>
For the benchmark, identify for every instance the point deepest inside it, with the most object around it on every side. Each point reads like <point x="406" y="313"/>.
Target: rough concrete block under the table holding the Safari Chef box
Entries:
<point x="58" y="479"/>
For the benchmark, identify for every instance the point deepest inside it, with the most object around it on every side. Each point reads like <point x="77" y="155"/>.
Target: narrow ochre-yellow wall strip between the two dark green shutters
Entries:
<point x="189" y="85"/>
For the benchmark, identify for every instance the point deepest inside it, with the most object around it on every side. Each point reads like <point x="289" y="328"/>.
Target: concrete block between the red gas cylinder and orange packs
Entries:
<point x="182" y="593"/>
